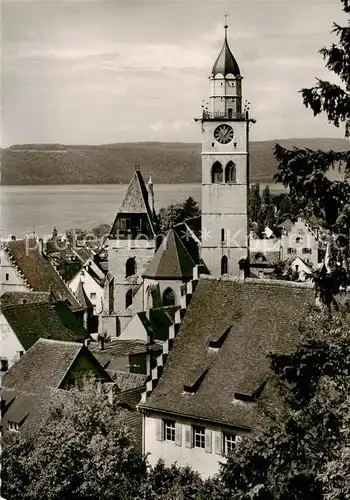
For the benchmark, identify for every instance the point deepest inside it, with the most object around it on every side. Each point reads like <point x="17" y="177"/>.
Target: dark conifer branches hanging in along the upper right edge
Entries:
<point x="305" y="171"/>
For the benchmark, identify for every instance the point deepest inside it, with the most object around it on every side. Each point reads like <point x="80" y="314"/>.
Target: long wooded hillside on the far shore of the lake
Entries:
<point x="113" y="163"/>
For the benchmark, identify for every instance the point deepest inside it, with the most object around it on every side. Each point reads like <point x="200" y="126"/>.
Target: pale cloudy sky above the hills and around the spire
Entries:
<point x="97" y="72"/>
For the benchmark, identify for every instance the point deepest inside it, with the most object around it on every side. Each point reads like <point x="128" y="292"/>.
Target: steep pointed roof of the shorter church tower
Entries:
<point x="136" y="201"/>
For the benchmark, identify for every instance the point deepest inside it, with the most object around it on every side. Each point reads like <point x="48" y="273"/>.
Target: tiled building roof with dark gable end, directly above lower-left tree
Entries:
<point x="42" y="377"/>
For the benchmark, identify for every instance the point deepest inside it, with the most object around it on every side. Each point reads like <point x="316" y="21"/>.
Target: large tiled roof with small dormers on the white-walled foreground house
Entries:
<point x="242" y="321"/>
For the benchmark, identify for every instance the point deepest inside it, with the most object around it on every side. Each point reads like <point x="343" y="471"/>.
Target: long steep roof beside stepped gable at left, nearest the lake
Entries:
<point x="40" y="275"/>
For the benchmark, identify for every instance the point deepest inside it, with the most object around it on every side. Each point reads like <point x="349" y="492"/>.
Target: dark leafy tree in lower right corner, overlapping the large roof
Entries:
<point x="302" y="451"/>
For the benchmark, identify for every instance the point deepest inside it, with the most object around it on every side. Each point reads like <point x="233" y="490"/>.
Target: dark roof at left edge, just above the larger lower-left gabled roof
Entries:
<point x="32" y="321"/>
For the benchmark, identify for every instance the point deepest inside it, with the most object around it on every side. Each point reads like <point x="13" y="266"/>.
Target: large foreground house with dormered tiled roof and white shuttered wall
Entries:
<point x="205" y="397"/>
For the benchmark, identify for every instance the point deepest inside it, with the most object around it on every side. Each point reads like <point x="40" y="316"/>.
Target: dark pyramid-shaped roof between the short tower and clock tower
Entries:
<point x="171" y="261"/>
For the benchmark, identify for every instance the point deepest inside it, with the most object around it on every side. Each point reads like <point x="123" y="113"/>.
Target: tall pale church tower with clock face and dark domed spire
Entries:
<point x="225" y="179"/>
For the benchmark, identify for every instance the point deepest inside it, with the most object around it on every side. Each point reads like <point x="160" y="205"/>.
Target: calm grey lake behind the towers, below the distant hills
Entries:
<point x="25" y="209"/>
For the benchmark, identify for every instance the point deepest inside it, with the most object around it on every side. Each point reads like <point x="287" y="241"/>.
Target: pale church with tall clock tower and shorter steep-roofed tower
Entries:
<point x="134" y="243"/>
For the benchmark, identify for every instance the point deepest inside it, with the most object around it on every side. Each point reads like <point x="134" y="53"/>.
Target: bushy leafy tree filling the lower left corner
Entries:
<point x="84" y="451"/>
